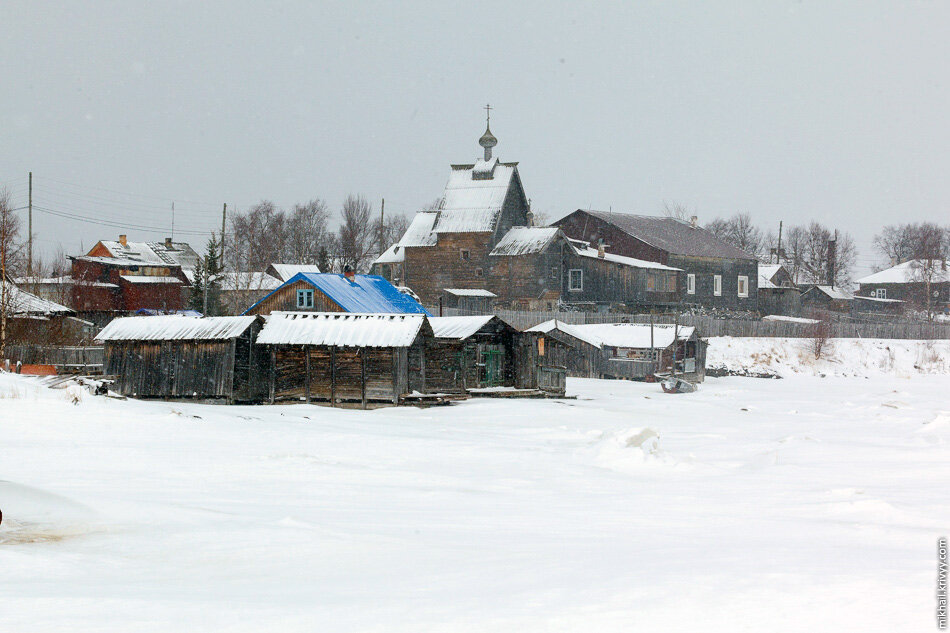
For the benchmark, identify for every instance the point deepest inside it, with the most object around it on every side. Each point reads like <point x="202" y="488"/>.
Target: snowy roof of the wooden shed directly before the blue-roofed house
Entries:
<point x="341" y="329"/>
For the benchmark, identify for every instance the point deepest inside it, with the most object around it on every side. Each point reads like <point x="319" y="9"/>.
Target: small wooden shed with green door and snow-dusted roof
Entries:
<point x="470" y="352"/>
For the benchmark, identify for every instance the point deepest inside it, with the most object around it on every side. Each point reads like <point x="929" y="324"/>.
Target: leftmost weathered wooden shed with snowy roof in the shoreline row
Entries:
<point x="184" y="357"/>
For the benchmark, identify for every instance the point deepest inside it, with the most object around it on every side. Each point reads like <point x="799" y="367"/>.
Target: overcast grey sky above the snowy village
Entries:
<point x="835" y="111"/>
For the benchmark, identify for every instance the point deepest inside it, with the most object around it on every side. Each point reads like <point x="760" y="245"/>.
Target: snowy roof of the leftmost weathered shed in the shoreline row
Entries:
<point x="174" y="327"/>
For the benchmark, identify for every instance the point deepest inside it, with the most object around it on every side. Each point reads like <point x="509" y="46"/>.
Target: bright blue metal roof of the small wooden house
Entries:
<point x="366" y="293"/>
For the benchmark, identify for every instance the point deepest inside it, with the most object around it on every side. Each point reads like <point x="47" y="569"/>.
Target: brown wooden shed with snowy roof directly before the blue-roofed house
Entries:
<point x="344" y="357"/>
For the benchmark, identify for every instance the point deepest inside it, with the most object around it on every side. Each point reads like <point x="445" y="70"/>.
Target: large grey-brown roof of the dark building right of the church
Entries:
<point x="671" y="235"/>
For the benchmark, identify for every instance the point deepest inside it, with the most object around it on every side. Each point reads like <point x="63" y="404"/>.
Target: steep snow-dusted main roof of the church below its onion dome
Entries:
<point x="472" y="200"/>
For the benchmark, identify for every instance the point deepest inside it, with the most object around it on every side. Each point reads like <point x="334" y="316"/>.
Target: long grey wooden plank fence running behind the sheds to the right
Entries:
<point x="713" y="326"/>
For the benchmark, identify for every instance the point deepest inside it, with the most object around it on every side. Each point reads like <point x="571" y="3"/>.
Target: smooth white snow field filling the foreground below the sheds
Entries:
<point x="800" y="504"/>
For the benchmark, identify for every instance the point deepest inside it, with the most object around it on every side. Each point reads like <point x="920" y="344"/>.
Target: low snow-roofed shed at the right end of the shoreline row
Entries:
<point x="638" y="350"/>
